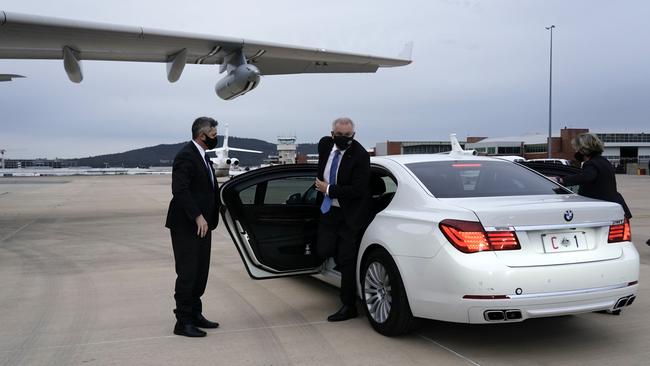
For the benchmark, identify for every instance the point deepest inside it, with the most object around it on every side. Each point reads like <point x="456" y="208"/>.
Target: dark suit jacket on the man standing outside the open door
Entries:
<point x="192" y="191"/>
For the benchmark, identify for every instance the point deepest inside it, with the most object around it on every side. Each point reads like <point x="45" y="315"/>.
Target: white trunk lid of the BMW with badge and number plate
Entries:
<point x="551" y="230"/>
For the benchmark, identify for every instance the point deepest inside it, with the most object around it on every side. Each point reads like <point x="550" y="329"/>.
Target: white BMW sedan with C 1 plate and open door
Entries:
<point x="452" y="237"/>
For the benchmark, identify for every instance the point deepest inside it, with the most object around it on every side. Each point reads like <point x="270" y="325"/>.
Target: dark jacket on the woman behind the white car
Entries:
<point x="597" y="180"/>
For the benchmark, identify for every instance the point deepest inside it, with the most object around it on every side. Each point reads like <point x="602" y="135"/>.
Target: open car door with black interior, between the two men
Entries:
<point x="272" y="217"/>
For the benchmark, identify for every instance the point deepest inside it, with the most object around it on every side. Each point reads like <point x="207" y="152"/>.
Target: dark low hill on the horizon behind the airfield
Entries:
<point x="163" y="155"/>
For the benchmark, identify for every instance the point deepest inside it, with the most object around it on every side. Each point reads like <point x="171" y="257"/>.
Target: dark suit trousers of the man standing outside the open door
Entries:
<point x="192" y="258"/>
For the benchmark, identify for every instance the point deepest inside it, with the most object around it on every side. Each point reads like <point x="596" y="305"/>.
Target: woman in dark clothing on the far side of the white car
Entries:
<point x="597" y="179"/>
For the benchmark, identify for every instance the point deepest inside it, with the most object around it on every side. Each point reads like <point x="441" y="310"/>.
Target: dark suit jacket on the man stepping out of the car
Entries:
<point x="351" y="188"/>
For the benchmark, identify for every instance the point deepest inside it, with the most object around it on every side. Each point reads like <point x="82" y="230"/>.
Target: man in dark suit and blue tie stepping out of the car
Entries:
<point x="343" y="177"/>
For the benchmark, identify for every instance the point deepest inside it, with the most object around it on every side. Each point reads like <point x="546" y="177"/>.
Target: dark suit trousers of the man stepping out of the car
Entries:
<point x="337" y="239"/>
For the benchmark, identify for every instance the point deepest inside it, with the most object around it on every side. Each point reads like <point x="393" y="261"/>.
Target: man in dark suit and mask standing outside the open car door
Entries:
<point x="193" y="214"/>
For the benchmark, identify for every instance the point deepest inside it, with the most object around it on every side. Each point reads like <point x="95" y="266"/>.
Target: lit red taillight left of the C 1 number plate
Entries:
<point x="471" y="237"/>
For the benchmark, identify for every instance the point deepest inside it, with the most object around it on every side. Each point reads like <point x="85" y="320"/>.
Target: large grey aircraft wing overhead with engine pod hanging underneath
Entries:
<point x="25" y="36"/>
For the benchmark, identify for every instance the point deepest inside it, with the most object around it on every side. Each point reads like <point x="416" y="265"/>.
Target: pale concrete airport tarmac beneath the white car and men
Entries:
<point x="87" y="275"/>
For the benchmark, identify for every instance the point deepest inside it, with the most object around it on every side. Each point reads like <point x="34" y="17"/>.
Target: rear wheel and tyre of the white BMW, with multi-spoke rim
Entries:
<point x="383" y="295"/>
